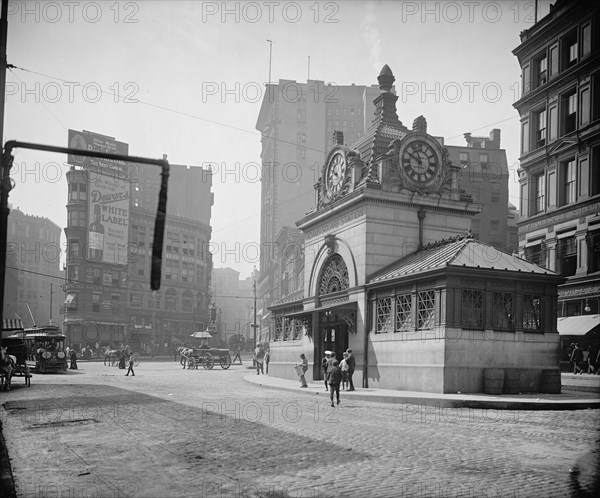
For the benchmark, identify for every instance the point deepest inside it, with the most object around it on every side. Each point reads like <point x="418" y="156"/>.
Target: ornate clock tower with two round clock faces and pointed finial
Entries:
<point x="395" y="187"/>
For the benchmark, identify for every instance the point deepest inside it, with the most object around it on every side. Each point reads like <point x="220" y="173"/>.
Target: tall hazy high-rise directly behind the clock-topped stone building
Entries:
<point x="297" y="121"/>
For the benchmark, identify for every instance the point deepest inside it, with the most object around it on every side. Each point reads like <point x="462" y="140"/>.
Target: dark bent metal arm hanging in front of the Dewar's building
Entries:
<point x="6" y="187"/>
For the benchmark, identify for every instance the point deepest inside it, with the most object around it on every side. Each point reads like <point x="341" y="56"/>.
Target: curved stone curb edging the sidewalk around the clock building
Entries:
<point x="448" y="400"/>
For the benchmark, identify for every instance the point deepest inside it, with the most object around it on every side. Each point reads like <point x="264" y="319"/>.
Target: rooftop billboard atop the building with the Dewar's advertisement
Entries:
<point x="86" y="140"/>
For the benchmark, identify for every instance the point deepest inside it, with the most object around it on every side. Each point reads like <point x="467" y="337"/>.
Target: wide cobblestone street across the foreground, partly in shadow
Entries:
<point x="174" y="432"/>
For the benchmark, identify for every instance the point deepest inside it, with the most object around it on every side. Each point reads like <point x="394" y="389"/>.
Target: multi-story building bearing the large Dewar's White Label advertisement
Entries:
<point x="109" y="244"/>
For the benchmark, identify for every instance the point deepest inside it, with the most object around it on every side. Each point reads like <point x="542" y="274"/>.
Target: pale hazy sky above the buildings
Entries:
<point x="186" y="79"/>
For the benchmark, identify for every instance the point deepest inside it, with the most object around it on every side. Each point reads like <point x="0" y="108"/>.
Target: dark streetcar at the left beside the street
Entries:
<point x="46" y="349"/>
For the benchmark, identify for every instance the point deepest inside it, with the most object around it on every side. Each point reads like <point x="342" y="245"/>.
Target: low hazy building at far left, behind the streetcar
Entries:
<point x="34" y="250"/>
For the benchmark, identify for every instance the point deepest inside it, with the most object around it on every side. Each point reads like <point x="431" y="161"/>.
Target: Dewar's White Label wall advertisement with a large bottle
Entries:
<point x="108" y="214"/>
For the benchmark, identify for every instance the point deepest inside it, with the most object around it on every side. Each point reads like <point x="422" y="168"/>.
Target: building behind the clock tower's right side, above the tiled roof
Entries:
<point x="484" y="175"/>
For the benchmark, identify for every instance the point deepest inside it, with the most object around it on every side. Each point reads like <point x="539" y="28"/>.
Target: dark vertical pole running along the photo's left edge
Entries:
<point x="5" y="181"/>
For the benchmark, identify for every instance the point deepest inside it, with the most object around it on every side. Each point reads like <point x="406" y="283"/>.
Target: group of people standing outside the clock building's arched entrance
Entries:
<point x="334" y="373"/>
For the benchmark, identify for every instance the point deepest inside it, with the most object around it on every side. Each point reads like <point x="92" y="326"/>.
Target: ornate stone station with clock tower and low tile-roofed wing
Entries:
<point x="390" y="273"/>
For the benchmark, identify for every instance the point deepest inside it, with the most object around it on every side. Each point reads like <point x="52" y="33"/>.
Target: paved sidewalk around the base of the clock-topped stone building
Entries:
<point x="569" y="399"/>
